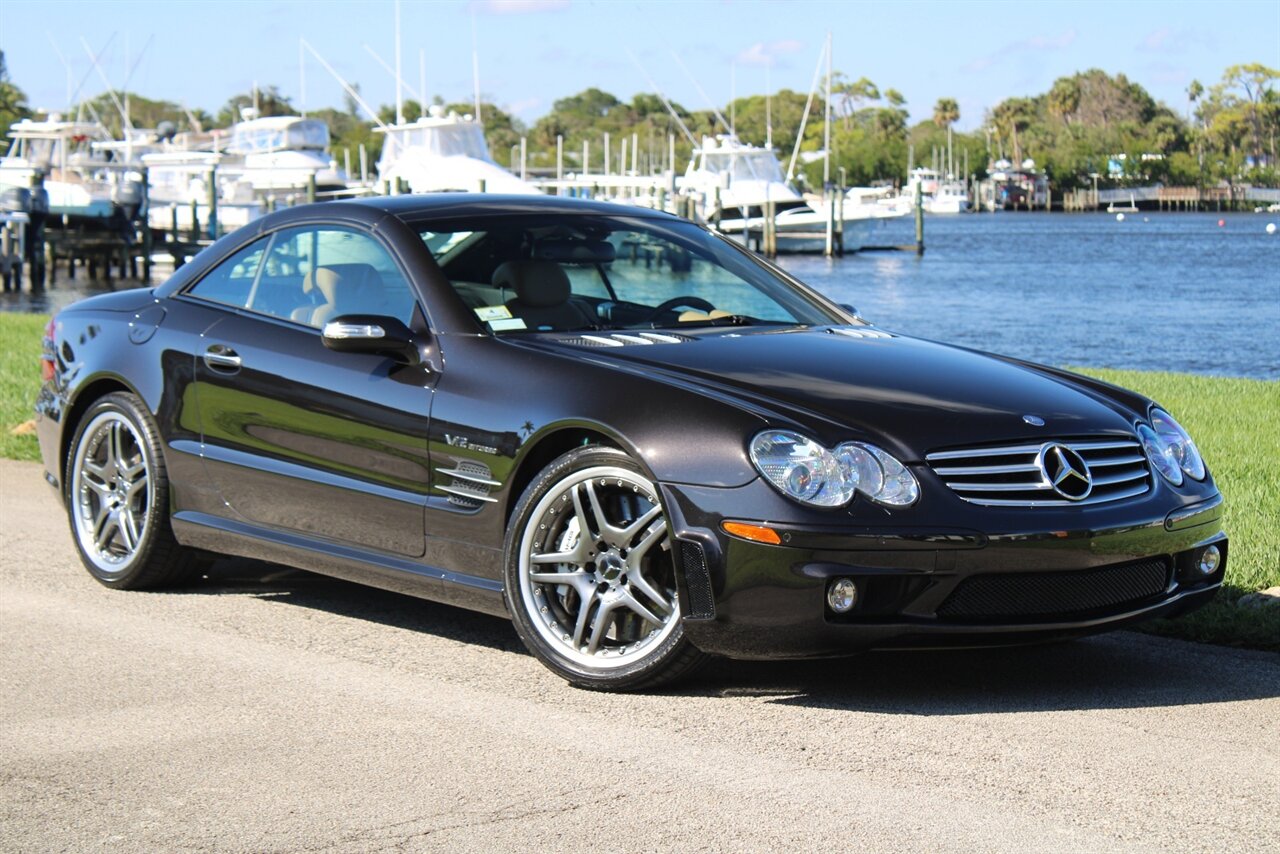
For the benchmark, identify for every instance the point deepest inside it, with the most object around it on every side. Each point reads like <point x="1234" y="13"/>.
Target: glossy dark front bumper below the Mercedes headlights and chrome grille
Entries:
<point x="748" y="600"/>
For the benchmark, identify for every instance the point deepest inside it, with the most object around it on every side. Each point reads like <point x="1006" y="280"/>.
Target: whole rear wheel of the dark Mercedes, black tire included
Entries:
<point x="116" y="477"/>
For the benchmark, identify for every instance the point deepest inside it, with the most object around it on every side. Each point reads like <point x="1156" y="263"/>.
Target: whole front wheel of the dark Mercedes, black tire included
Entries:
<point x="615" y="577"/>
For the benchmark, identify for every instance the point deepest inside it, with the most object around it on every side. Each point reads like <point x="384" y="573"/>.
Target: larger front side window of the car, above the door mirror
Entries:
<point x="313" y="275"/>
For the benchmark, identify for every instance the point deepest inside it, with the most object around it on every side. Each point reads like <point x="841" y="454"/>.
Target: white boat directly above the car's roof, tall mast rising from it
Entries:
<point x="444" y="153"/>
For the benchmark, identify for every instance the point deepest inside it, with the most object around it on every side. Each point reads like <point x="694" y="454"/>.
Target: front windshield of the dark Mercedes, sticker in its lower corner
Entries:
<point x="569" y="273"/>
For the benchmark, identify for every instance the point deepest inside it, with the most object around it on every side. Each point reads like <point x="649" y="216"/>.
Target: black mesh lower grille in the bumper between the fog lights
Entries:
<point x="1055" y="595"/>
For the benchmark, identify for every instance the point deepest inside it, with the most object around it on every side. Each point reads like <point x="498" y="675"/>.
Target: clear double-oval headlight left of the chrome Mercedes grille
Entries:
<point x="806" y="472"/>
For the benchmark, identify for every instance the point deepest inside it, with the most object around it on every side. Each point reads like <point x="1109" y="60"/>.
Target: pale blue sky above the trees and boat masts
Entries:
<point x="534" y="52"/>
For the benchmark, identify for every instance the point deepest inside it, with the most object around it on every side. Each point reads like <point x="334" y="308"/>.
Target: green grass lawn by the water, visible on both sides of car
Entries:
<point x="1227" y="417"/>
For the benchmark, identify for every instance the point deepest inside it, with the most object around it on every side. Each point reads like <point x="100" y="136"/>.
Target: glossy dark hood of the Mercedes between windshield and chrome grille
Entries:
<point x="911" y="395"/>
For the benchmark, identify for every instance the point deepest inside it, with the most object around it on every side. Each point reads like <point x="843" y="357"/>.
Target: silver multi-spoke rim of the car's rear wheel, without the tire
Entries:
<point x="112" y="488"/>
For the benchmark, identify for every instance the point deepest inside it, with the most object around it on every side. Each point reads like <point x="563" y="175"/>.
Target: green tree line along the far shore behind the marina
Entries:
<point x="1091" y="130"/>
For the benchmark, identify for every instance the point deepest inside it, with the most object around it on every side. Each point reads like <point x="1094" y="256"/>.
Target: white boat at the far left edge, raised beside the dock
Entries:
<point x="81" y="185"/>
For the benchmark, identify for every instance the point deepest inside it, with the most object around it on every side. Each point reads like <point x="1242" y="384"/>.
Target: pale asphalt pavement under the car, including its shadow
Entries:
<point x="271" y="710"/>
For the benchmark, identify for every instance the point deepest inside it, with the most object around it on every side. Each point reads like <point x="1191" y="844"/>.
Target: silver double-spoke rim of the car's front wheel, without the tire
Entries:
<point x="596" y="568"/>
